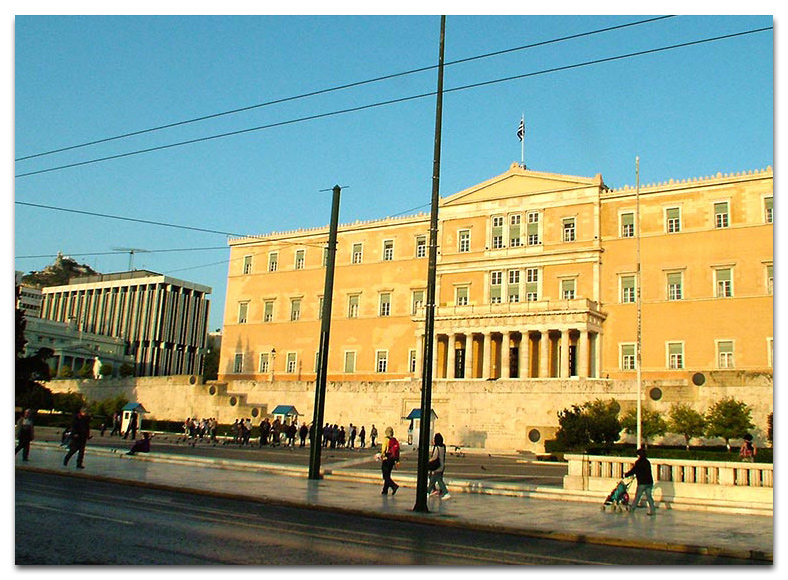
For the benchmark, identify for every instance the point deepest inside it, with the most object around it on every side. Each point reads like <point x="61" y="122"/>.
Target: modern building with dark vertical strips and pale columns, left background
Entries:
<point x="163" y="320"/>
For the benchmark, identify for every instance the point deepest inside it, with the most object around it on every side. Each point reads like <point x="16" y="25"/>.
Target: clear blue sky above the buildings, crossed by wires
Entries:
<point x="688" y="112"/>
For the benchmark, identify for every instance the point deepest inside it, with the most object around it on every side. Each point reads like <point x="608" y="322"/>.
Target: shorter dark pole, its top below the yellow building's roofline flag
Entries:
<point x="325" y="329"/>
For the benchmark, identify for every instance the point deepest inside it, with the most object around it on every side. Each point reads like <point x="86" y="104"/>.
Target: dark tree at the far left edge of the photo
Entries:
<point x="30" y="370"/>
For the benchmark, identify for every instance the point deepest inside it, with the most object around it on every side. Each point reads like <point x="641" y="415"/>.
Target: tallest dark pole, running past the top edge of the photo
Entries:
<point x="429" y="322"/>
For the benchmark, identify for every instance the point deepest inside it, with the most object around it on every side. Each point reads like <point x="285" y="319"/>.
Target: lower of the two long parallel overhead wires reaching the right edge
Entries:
<point x="397" y="100"/>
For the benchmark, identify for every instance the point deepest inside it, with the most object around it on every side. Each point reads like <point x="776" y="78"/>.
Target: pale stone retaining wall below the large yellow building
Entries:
<point x="495" y="415"/>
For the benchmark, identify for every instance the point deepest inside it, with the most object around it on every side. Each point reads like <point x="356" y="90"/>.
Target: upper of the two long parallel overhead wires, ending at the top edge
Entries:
<point x="340" y="87"/>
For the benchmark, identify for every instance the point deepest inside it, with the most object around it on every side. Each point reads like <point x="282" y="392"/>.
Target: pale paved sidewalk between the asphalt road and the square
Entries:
<point x="731" y="535"/>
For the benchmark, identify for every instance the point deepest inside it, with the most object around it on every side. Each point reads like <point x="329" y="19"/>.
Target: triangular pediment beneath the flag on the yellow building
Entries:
<point x="518" y="182"/>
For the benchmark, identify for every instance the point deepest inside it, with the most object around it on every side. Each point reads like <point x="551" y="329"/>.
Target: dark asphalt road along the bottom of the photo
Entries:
<point x="63" y="520"/>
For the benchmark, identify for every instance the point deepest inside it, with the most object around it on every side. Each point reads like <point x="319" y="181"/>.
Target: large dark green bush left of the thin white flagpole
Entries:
<point x="593" y="422"/>
